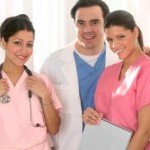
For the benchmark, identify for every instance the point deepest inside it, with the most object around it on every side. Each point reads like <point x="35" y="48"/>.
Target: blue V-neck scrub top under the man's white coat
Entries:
<point x="88" y="77"/>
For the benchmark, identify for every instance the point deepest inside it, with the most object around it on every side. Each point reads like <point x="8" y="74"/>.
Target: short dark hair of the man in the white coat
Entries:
<point x="88" y="3"/>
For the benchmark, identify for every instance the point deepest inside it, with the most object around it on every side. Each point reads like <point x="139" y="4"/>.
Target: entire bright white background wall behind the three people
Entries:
<point x="55" y="27"/>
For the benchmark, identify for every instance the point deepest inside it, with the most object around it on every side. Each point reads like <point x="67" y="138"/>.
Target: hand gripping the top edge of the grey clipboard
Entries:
<point x="91" y="116"/>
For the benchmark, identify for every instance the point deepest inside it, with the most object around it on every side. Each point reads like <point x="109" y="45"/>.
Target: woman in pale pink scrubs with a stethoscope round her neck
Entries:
<point x="28" y="103"/>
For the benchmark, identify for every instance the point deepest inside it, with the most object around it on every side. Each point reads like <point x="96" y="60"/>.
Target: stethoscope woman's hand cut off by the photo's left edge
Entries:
<point x="3" y="87"/>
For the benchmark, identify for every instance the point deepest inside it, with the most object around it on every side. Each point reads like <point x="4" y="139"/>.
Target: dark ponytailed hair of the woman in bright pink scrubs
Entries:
<point x="125" y="19"/>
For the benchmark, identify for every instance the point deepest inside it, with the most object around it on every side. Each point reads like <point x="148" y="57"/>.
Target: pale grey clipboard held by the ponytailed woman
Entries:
<point x="106" y="136"/>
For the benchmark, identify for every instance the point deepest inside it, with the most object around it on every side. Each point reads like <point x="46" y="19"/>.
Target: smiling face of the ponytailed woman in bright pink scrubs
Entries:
<point x="122" y="41"/>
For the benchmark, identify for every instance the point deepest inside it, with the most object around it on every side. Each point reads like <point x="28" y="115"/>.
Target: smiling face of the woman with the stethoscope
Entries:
<point x="19" y="47"/>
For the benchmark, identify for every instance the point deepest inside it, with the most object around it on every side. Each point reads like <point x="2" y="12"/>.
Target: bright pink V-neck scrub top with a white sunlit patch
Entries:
<point x="120" y="100"/>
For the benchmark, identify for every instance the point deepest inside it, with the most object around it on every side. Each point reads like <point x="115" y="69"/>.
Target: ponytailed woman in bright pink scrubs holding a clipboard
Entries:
<point x="123" y="94"/>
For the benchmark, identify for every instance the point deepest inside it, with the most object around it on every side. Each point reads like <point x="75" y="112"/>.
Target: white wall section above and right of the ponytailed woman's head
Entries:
<point x="140" y="10"/>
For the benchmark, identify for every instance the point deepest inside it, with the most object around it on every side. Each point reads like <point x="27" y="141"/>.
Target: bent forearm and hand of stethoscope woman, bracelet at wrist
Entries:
<point x="51" y="115"/>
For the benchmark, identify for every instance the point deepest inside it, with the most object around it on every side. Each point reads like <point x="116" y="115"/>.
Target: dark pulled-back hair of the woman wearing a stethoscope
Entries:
<point x="12" y="25"/>
